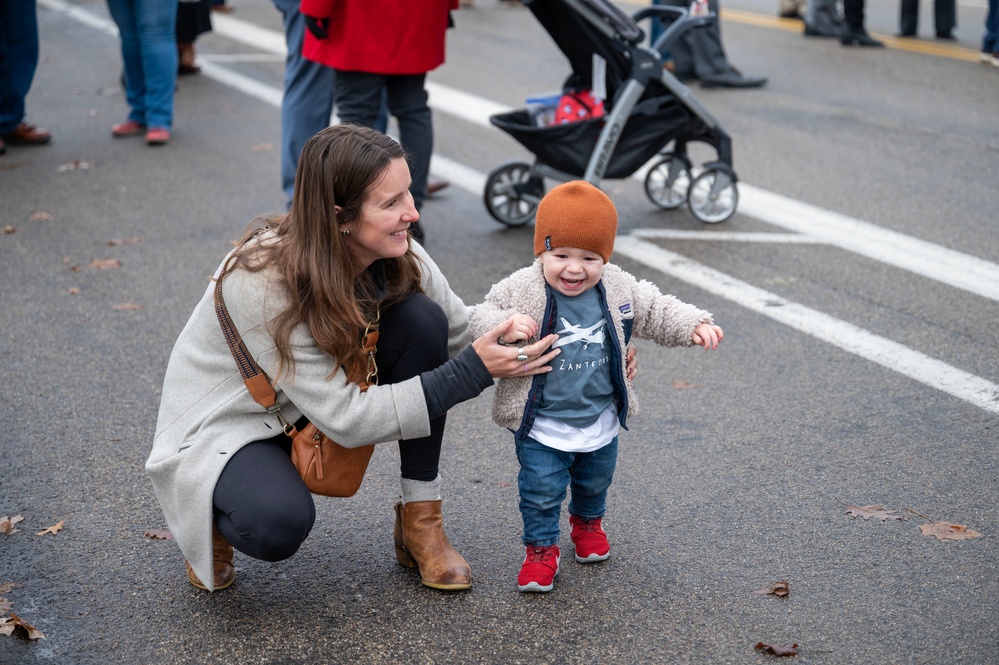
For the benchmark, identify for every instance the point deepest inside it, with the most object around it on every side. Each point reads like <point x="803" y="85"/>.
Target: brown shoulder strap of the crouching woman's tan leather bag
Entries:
<point x="256" y="380"/>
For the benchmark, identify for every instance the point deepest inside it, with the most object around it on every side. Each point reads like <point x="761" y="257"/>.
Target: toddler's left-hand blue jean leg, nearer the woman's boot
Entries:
<point x="543" y="477"/>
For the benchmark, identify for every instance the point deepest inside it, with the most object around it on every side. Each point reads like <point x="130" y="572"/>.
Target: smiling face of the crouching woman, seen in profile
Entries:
<point x="382" y="231"/>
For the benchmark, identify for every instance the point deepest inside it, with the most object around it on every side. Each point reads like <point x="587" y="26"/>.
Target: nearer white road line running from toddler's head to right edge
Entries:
<point x="850" y="338"/>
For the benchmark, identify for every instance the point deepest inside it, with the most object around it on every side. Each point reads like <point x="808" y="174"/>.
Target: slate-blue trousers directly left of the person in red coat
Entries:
<point x="308" y="95"/>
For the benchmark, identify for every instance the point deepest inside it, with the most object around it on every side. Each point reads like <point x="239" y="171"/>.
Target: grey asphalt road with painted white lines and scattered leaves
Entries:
<point x="856" y="285"/>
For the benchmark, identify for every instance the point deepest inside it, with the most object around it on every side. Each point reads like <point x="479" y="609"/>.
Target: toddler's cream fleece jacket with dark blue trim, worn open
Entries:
<point x="634" y="308"/>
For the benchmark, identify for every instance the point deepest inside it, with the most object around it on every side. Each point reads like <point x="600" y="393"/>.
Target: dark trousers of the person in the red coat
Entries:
<point x="359" y="100"/>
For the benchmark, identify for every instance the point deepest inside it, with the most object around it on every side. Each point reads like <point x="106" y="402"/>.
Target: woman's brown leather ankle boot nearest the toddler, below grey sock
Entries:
<point x="420" y="542"/>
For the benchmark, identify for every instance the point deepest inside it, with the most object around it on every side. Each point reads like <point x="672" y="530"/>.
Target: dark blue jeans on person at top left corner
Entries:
<point x="18" y="59"/>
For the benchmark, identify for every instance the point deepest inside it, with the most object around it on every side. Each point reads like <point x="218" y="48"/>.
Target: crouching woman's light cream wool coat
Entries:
<point x="206" y="413"/>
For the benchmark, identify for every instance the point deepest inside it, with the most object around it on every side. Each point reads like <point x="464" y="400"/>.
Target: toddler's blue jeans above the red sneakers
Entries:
<point x="544" y="475"/>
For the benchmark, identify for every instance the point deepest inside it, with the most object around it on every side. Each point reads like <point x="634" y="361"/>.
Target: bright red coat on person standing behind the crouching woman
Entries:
<point x="379" y="36"/>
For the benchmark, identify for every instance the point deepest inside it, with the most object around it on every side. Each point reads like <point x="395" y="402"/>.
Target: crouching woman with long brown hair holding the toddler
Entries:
<point x="301" y="293"/>
